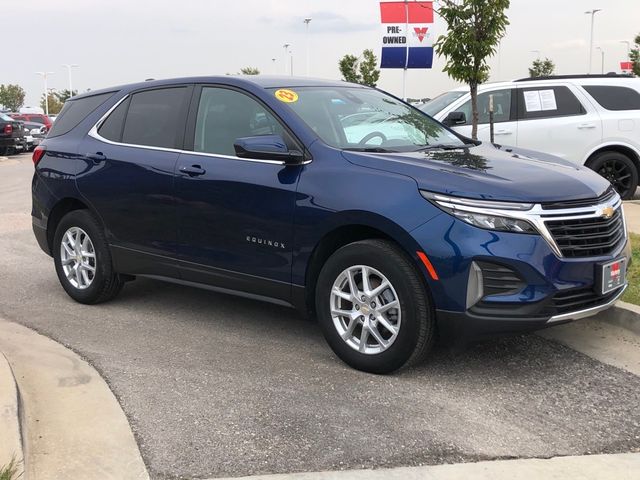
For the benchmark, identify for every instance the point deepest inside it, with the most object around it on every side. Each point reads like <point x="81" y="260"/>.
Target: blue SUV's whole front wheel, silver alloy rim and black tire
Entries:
<point x="373" y="308"/>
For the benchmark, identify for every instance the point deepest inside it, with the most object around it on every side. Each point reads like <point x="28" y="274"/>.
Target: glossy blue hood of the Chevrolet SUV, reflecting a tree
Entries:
<point x="487" y="172"/>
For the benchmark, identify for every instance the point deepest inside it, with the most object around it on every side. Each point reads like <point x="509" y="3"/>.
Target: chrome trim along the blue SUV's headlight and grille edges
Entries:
<point x="536" y="215"/>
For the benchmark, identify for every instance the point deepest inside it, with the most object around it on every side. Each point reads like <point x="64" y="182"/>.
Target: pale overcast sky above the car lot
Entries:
<point x="124" y="41"/>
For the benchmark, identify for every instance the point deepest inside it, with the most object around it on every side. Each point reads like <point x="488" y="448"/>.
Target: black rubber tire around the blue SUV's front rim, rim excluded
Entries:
<point x="417" y="328"/>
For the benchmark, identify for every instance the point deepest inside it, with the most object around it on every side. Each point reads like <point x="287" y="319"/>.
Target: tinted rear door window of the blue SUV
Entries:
<point x="155" y="118"/>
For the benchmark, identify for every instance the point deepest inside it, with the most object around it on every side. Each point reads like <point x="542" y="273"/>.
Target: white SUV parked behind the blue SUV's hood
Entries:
<point x="591" y="120"/>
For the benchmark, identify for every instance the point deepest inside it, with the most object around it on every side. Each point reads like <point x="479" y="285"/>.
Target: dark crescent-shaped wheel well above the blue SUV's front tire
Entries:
<point x="327" y="246"/>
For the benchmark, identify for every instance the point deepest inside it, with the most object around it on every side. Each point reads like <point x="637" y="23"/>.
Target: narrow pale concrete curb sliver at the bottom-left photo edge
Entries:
<point x="11" y="444"/>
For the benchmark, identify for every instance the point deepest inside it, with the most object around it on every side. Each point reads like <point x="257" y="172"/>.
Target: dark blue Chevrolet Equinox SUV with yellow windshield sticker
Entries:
<point x="337" y="199"/>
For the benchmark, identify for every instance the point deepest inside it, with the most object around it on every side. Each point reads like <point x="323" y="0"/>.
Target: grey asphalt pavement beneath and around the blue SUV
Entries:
<point x="214" y="385"/>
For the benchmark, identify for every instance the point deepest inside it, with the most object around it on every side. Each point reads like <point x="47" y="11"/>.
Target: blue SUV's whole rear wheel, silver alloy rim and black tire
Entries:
<point x="83" y="260"/>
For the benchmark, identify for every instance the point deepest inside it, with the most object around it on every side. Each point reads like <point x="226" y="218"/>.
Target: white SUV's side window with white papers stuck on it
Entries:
<point x="547" y="102"/>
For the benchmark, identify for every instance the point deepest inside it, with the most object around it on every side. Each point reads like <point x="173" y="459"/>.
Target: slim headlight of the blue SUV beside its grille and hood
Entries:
<point x="486" y="214"/>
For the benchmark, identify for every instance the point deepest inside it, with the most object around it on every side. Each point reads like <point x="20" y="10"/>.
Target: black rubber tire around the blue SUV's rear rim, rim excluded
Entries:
<point x="105" y="283"/>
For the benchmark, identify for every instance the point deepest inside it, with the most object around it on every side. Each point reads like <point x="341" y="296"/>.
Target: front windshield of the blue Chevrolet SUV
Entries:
<point x="363" y="119"/>
